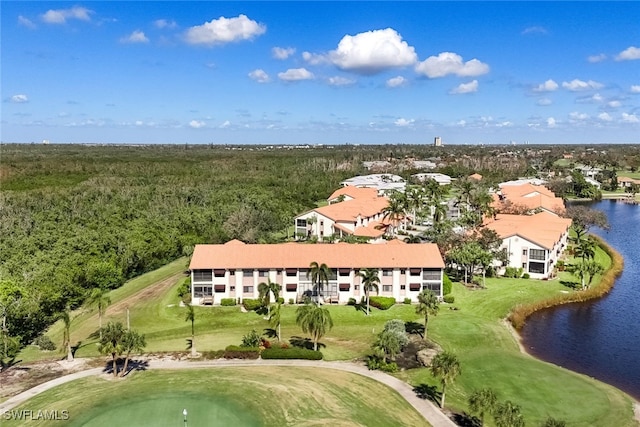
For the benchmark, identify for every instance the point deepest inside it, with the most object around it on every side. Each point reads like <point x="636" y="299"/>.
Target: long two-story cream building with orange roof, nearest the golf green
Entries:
<point x="235" y="269"/>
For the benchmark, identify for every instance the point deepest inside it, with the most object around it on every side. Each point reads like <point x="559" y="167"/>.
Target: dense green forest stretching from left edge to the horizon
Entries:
<point x="76" y="217"/>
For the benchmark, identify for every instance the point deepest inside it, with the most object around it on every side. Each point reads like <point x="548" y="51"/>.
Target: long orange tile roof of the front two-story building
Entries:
<point x="238" y="255"/>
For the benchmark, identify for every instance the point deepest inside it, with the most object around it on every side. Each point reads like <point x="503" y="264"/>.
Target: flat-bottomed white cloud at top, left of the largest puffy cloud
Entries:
<point x="224" y="30"/>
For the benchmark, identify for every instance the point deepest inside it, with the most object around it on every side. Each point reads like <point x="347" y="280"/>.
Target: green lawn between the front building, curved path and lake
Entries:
<point x="476" y="333"/>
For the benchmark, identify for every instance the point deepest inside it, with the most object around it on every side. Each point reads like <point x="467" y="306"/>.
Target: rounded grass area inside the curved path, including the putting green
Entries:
<point x="247" y="396"/>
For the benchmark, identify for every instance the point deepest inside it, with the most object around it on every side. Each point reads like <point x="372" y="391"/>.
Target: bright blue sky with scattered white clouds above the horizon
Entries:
<point x="320" y="72"/>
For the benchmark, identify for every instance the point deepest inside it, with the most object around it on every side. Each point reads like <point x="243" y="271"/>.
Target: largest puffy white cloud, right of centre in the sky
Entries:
<point x="372" y="52"/>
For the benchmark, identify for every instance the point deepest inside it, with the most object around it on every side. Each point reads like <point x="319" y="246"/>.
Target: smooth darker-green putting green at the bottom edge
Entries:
<point x="166" y="410"/>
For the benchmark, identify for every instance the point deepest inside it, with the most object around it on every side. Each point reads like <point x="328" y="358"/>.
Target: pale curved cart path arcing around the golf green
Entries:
<point x="427" y="409"/>
